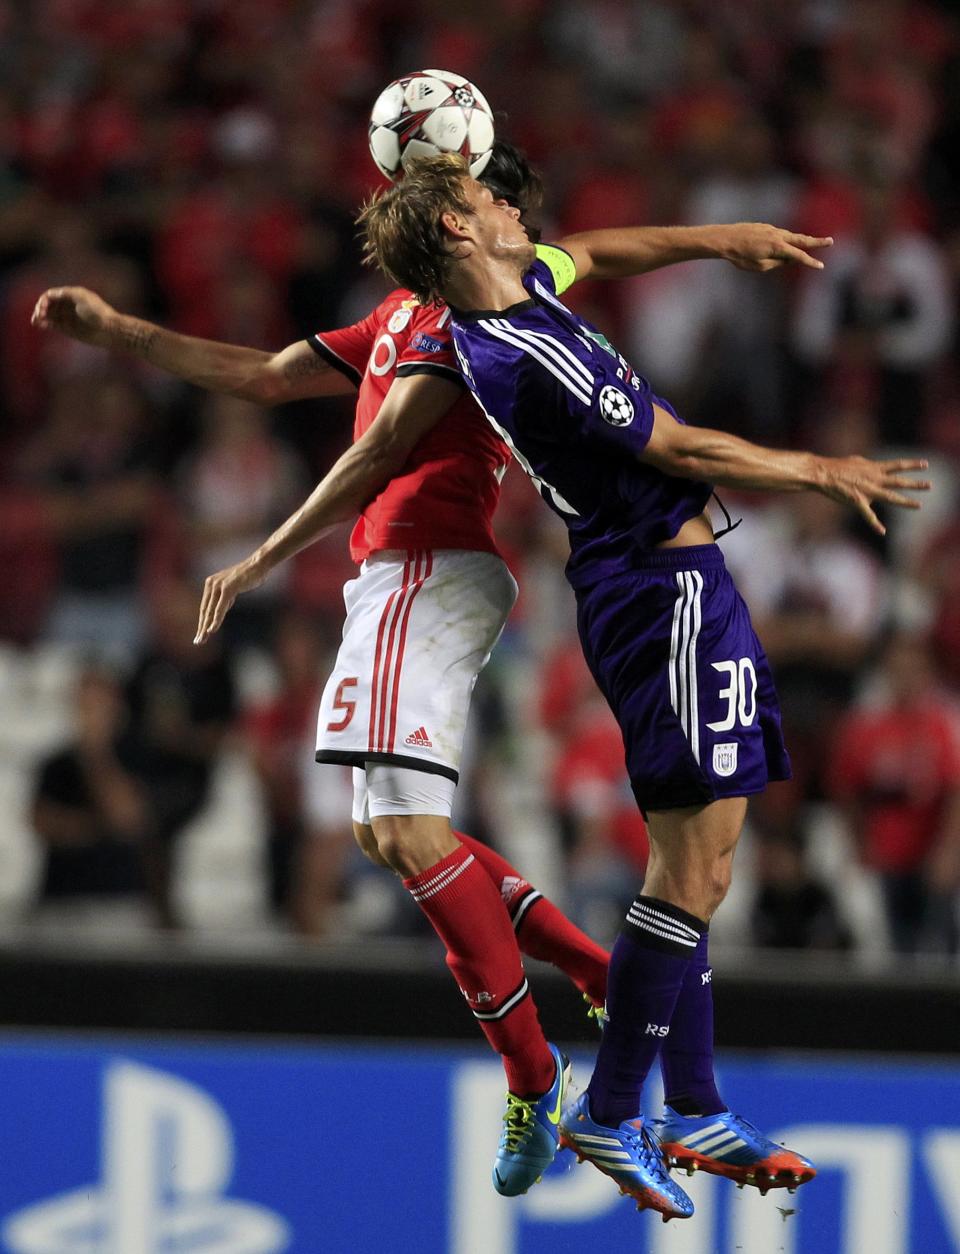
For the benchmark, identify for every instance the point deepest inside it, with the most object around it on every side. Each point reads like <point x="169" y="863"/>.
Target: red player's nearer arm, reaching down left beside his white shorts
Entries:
<point x="413" y="407"/>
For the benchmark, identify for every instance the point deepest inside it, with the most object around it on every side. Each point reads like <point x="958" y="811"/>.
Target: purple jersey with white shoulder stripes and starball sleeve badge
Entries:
<point x="577" y="417"/>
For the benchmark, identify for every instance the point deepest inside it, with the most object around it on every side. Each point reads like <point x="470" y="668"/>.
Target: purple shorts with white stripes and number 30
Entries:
<point x="672" y="649"/>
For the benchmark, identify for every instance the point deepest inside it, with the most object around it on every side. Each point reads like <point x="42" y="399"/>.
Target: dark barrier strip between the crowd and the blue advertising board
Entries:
<point x="400" y="990"/>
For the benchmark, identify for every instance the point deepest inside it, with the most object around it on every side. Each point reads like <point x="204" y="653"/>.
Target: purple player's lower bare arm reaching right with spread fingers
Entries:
<point x="728" y="461"/>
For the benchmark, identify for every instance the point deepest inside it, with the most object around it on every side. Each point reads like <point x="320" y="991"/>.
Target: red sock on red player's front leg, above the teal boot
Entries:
<point x="469" y="917"/>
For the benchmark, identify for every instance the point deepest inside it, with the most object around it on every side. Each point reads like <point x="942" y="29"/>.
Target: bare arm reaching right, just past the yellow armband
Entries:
<point x="621" y="253"/>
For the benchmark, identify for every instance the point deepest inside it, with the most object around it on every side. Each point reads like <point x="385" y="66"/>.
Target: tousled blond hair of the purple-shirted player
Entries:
<point x="402" y="225"/>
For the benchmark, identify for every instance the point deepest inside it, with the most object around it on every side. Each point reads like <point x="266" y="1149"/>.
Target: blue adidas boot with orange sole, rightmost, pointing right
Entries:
<point x="731" y="1147"/>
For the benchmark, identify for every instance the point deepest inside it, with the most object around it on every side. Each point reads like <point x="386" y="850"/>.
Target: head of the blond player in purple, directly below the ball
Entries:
<point x="437" y="220"/>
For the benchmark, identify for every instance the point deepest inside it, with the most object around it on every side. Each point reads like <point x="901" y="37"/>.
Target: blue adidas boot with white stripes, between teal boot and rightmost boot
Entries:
<point x="630" y="1156"/>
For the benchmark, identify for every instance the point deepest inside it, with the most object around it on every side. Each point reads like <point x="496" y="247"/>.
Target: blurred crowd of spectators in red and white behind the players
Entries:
<point x="200" y="162"/>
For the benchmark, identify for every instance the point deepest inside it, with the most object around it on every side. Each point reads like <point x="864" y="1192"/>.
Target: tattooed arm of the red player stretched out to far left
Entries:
<point x="263" y="378"/>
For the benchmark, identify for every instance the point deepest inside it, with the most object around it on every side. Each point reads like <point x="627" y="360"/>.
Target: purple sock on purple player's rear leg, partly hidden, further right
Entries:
<point x="687" y="1055"/>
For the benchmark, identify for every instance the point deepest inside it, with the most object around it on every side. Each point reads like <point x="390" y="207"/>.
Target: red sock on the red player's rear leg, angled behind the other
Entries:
<point x="542" y="931"/>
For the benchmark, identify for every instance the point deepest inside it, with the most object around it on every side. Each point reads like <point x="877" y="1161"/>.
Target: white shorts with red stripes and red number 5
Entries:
<point x="420" y="628"/>
